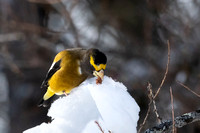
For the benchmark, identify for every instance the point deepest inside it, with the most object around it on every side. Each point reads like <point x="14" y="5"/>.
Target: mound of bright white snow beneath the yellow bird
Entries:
<point x="109" y="104"/>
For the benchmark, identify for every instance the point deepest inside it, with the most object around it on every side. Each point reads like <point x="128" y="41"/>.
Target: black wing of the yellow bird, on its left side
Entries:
<point x="50" y="73"/>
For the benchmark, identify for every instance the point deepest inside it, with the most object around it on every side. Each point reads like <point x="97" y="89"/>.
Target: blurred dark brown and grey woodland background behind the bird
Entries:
<point x="132" y="33"/>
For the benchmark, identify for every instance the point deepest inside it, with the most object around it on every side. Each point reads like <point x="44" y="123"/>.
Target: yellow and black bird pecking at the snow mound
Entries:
<point x="69" y="69"/>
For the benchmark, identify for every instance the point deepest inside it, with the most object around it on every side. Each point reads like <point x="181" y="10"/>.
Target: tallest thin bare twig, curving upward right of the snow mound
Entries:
<point x="167" y="68"/>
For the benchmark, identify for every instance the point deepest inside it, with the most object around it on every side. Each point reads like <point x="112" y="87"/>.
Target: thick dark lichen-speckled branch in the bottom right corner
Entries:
<point x="180" y="121"/>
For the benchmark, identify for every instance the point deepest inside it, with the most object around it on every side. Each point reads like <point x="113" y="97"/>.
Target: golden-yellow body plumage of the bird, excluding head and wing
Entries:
<point x="66" y="78"/>
